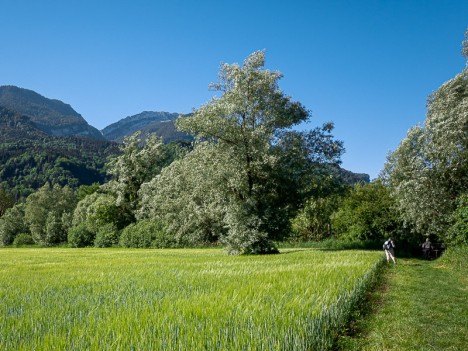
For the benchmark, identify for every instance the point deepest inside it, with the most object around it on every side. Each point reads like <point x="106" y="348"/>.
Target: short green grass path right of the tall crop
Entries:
<point x="422" y="305"/>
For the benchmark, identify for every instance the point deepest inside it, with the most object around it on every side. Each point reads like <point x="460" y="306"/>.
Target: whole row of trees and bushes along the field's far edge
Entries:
<point x="250" y="180"/>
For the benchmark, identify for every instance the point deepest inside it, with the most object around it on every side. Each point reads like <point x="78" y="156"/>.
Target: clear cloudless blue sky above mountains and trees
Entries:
<point x="366" y="65"/>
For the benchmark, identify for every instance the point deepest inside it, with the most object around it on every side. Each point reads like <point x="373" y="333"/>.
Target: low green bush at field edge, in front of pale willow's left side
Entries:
<point x="146" y="233"/>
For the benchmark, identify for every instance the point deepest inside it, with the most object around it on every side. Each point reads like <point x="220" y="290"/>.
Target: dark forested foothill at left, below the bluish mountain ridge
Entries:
<point x="29" y="157"/>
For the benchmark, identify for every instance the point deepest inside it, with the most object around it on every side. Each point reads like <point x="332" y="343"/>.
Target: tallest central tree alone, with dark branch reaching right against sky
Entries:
<point x="249" y="126"/>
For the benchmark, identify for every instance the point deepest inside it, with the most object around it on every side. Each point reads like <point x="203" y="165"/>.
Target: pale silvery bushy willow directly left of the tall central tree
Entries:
<point x="186" y="198"/>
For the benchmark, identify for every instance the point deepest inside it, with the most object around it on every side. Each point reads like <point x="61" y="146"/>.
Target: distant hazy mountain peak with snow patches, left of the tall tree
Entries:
<point x="159" y="123"/>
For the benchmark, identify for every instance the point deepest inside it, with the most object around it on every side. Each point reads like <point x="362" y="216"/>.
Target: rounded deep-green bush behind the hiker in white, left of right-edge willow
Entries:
<point x="367" y="213"/>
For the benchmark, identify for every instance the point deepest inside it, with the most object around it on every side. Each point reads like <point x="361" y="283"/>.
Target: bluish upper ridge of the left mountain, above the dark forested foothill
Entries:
<point x="50" y="116"/>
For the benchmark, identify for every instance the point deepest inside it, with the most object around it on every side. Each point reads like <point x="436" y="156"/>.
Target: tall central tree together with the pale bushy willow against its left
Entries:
<point x="246" y="173"/>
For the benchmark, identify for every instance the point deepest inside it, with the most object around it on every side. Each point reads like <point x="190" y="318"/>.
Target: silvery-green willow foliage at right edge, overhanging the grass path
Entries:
<point x="429" y="169"/>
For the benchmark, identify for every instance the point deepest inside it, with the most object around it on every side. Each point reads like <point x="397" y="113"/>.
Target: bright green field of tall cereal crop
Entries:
<point x="194" y="299"/>
